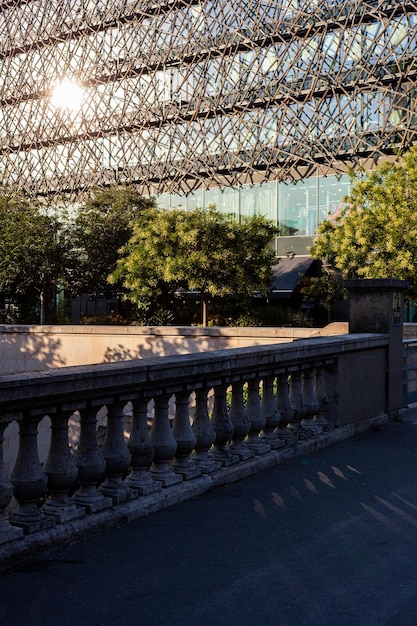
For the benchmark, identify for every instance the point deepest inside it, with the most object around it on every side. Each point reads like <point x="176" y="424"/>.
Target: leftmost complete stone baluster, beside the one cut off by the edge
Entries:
<point x="29" y="480"/>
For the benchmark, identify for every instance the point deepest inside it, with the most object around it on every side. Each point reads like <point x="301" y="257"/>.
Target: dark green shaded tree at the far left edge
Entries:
<point x="33" y="249"/>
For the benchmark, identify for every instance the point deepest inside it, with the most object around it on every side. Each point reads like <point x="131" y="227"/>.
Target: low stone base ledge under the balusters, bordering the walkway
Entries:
<point x="70" y="532"/>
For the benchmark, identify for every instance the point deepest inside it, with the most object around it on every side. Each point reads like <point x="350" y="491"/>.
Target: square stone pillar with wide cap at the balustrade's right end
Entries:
<point x="376" y="306"/>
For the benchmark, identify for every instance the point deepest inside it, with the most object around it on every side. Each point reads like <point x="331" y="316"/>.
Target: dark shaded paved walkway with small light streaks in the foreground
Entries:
<point x="328" y="539"/>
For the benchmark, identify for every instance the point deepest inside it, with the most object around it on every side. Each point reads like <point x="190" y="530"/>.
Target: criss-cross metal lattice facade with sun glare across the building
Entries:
<point x="178" y="94"/>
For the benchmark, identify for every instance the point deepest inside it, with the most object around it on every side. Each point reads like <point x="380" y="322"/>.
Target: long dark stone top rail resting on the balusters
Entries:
<point x="42" y="391"/>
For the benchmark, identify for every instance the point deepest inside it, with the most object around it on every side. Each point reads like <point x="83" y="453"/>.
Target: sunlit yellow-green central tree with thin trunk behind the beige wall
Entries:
<point x="201" y="250"/>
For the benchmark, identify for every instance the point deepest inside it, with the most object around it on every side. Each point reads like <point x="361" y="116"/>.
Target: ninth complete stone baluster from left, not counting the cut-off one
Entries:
<point x="223" y="427"/>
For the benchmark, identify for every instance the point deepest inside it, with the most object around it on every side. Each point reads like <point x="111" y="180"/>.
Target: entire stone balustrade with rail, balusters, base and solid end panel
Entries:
<point x="217" y="417"/>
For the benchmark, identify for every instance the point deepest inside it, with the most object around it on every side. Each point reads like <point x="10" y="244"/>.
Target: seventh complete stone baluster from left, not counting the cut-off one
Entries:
<point x="184" y="437"/>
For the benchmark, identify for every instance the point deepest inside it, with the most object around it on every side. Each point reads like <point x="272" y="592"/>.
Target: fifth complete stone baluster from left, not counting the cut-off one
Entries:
<point x="141" y="449"/>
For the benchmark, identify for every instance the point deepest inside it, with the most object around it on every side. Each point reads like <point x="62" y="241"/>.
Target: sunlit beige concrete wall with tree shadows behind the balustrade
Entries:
<point x="38" y="348"/>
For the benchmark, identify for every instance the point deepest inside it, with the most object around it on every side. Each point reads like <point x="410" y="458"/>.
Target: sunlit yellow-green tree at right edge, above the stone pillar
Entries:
<point x="376" y="234"/>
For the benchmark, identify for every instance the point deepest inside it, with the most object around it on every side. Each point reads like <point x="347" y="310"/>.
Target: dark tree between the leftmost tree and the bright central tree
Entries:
<point x="101" y="228"/>
